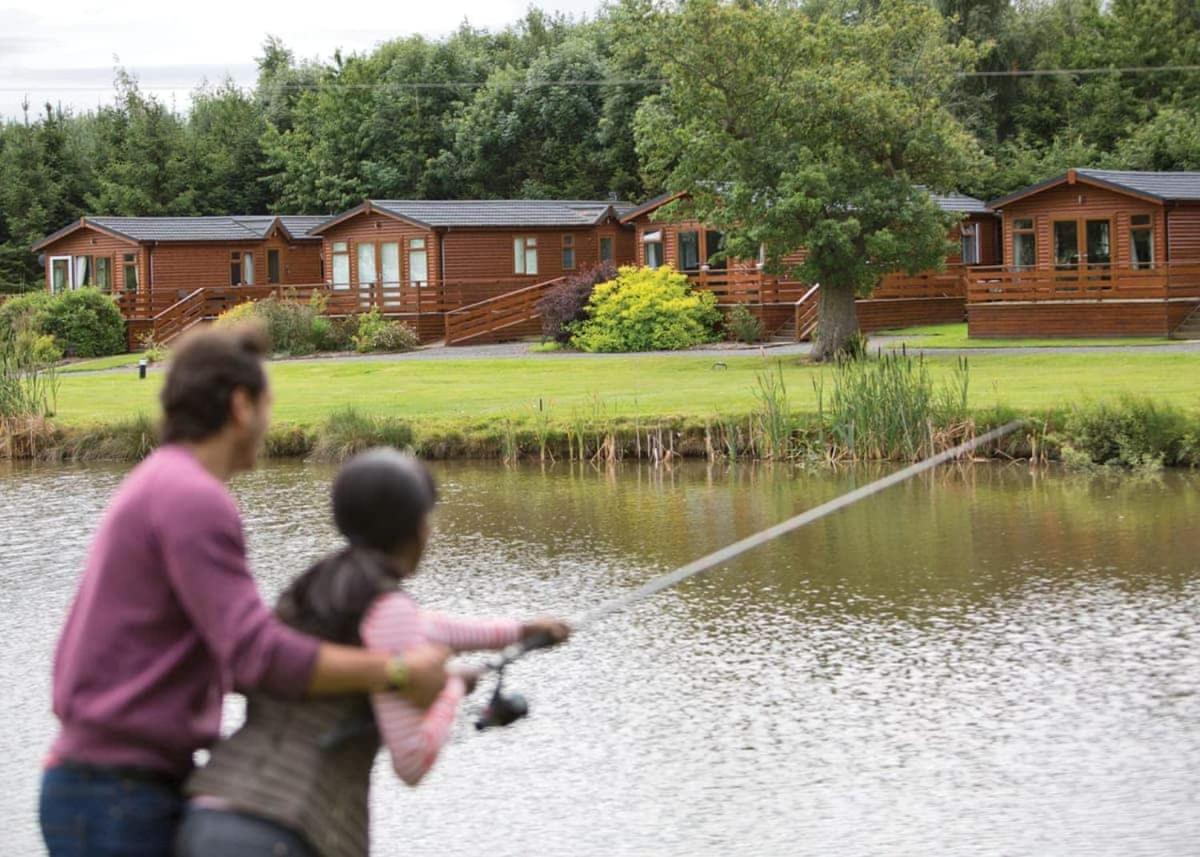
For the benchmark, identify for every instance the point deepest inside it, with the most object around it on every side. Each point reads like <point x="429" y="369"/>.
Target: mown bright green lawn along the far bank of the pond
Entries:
<point x="687" y="386"/>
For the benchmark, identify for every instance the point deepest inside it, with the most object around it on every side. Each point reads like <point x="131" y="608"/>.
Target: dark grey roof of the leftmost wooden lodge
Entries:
<point x="224" y="229"/>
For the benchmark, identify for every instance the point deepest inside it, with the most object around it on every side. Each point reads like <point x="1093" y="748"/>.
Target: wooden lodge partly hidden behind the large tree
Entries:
<point x="789" y="308"/>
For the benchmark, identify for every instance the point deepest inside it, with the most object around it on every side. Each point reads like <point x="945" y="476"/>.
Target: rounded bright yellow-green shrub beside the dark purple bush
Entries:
<point x="647" y="310"/>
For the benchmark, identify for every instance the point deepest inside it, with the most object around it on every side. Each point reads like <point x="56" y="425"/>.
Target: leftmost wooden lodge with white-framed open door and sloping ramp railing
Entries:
<point x="179" y="271"/>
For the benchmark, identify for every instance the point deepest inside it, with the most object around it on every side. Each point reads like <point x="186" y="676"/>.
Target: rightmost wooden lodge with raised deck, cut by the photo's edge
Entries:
<point x="1094" y="254"/>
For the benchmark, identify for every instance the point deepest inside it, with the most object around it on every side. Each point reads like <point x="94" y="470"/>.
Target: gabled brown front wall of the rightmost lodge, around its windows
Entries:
<point x="1082" y="202"/>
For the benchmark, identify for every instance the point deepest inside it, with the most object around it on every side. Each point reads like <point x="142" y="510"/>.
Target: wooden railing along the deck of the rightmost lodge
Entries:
<point x="1090" y="284"/>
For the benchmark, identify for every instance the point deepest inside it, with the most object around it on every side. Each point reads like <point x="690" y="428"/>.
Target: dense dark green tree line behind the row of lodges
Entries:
<point x="551" y="105"/>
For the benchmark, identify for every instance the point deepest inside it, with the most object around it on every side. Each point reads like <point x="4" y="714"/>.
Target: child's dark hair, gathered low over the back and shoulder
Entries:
<point x="381" y="499"/>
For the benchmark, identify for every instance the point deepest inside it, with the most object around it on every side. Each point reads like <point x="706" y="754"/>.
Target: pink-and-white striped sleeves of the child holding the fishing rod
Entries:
<point x="416" y="736"/>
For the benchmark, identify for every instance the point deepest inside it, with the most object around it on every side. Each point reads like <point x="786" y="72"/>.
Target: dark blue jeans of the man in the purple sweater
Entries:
<point x="97" y="812"/>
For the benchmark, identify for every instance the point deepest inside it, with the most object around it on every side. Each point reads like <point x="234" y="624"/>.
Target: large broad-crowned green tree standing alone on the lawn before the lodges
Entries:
<point x="821" y="134"/>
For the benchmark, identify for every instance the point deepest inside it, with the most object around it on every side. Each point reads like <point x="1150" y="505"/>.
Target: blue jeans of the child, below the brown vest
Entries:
<point x="219" y="834"/>
